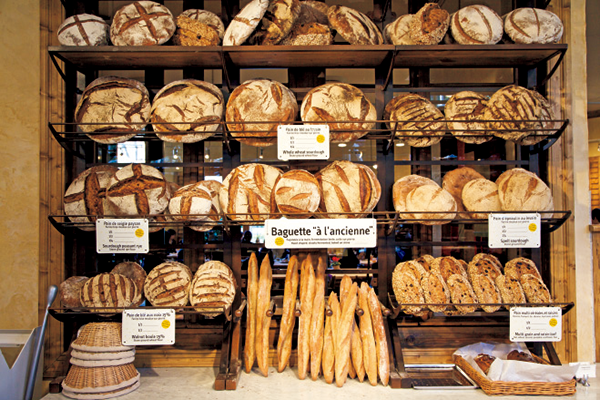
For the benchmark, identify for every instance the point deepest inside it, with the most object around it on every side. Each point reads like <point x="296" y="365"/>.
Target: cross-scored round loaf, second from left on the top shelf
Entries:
<point x="142" y="23"/>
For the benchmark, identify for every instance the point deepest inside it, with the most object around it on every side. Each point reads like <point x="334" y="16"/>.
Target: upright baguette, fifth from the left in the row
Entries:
<point x="316" y="323"/>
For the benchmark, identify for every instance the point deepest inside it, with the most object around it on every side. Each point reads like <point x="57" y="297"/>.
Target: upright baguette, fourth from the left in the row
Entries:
<point x="307" y="292"/>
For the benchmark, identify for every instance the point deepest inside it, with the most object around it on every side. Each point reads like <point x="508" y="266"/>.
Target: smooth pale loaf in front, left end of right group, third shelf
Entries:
<point x="428" y="199"/>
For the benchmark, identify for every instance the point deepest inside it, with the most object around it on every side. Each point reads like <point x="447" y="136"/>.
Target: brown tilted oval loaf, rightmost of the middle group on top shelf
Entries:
<point x="354" y="26"/>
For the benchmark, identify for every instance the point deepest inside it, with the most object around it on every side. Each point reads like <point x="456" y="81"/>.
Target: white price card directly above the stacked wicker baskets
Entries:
<point x="148" y="327"/>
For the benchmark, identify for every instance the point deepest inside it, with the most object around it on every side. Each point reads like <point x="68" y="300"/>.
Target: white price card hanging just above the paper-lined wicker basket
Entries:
<point x="535" y="324"/>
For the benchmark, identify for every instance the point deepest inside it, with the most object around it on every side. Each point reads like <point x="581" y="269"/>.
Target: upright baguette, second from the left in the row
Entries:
<point x="263" y="322"/>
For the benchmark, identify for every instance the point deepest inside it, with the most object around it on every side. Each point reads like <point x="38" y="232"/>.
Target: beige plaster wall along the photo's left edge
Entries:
<point x="19" y="163"/>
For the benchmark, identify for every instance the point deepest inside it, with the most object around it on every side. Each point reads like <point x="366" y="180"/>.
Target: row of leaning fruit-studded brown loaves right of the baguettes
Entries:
<point x="452" y="286"/>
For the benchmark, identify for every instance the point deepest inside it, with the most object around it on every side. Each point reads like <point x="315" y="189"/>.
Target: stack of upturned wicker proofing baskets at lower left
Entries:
<point x="101" y="367"/>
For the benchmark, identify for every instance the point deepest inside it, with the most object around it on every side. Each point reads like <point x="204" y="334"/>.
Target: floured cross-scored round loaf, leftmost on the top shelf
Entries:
<point x="83" y="30"/>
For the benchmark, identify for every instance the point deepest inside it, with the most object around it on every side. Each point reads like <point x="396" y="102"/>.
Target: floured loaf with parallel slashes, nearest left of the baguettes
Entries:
<point x="213" y="288"/>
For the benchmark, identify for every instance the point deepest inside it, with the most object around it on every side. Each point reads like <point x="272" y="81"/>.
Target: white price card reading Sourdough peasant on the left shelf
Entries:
<point x="122" y="236"/>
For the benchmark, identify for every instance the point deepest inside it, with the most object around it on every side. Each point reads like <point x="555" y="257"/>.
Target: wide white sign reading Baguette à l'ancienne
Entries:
<point x="320" y="234"/>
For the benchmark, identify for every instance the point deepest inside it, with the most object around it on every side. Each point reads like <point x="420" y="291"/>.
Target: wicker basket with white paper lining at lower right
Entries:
<point x="507" y="388"/>
